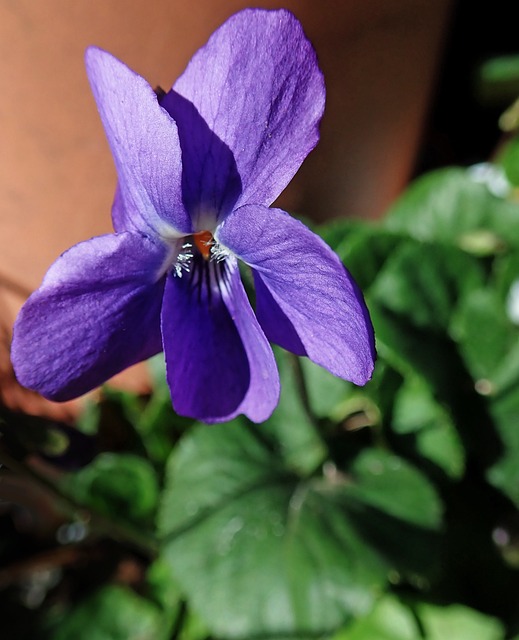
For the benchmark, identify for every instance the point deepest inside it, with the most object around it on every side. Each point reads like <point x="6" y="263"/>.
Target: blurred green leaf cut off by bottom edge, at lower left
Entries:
<point x="111" y="613"/>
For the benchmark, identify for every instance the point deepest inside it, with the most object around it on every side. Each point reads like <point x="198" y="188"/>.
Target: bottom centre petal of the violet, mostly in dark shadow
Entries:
<point x="219" y="363"/>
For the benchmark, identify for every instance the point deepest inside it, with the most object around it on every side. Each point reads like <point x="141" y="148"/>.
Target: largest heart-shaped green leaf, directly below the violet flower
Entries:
<point x="258" y="550"/>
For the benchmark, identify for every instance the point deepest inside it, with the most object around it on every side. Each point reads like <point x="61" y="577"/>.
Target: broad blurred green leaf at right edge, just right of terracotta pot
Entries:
<point x="449" y="206"/>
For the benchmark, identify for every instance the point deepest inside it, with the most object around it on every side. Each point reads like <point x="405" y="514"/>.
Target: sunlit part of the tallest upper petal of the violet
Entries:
<point x="257" y="85"/>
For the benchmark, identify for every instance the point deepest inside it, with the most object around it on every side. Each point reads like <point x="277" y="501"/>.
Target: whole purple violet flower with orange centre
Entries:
<point x="198" y="168"/>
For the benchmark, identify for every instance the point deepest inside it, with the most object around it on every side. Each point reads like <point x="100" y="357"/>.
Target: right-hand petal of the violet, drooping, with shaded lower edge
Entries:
<point x="311" y="297"/>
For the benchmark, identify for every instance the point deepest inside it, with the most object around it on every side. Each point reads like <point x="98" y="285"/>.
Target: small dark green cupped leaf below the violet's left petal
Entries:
<point x="116" y="484"/>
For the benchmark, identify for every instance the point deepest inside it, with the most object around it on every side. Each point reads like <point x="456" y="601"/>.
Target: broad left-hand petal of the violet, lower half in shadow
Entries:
<point x="96" y="313"/>
